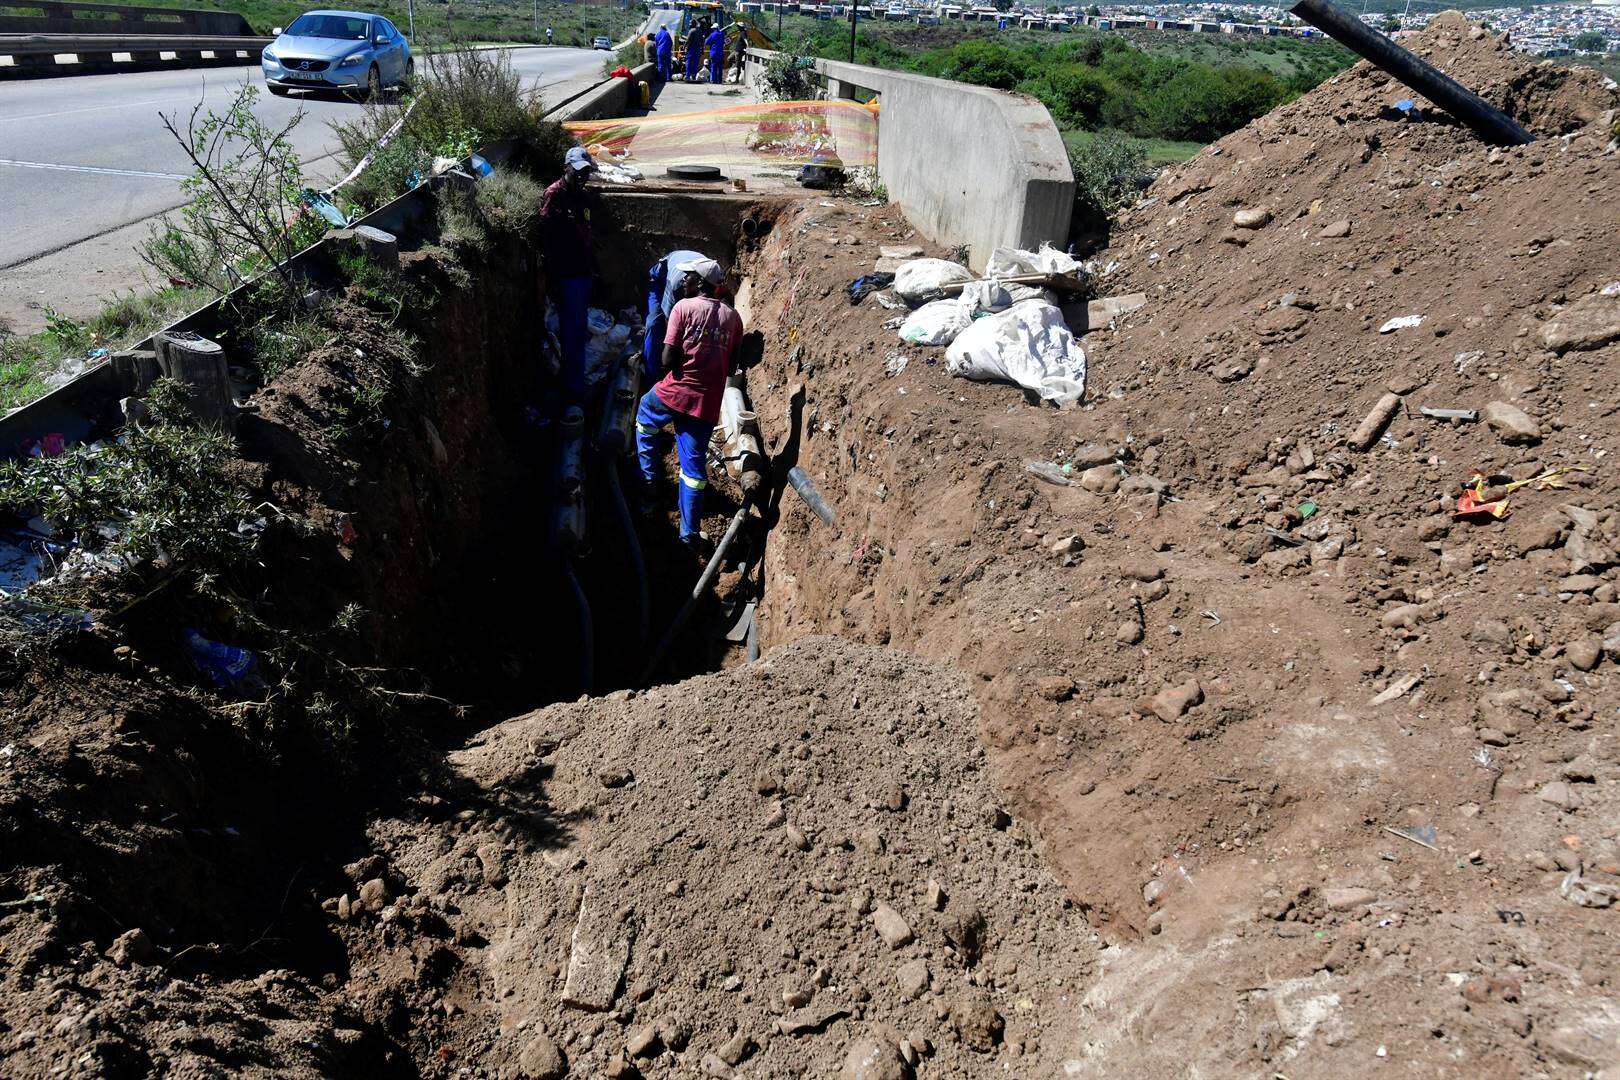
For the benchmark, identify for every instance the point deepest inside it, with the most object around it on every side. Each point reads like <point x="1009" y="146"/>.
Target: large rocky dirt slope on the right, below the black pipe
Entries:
<point x="1264" y="700"/>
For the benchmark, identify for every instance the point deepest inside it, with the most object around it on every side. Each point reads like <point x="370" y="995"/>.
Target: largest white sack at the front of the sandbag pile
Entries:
<point x="1030" y="344"/>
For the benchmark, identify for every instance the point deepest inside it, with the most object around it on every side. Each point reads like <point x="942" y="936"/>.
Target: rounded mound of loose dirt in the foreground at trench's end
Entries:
<point x="772" y="867"/>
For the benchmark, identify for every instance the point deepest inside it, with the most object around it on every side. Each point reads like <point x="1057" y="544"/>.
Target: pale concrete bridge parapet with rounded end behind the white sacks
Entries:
<point x="968" y="164"/>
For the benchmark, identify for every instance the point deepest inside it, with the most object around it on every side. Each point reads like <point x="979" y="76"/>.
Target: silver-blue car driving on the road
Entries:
<point x="338" y="51"/>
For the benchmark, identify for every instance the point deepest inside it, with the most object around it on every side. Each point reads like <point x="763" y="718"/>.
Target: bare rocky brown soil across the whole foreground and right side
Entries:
<point x="1282" y="768"/>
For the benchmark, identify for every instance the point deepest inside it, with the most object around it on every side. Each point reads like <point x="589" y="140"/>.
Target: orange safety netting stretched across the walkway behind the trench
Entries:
<point x="774" y="134"/>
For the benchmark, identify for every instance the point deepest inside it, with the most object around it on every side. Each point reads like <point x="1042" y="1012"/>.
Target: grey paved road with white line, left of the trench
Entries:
<point x="85" y="156"/>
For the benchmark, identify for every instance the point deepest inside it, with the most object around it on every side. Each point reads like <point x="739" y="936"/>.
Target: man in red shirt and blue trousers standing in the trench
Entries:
<point x="701" y="354"/>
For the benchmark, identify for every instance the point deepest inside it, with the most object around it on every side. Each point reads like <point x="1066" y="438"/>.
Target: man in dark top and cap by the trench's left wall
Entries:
<point x="566" y="237"/>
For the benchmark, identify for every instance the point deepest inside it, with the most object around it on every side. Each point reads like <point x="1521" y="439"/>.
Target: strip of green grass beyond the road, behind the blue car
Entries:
<point x="441" y="22"/>
